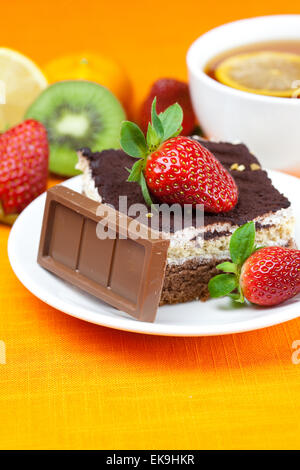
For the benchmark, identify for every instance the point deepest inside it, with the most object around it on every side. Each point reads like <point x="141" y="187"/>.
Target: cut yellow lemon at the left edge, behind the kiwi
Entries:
<point x="21" y="81"/>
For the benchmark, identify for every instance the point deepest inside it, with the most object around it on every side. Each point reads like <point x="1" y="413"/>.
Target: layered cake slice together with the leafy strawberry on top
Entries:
<point x="166" y="167"/>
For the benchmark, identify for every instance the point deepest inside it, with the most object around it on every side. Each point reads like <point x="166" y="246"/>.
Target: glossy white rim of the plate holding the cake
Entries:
<point x="131" y="324"/>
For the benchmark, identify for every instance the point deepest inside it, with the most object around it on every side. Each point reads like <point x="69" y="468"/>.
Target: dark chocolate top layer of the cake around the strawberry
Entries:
<point x="257" y="195"/>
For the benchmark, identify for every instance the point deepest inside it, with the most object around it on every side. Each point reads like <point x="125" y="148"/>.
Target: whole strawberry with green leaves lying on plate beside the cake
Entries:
<point x="265" y="276"/>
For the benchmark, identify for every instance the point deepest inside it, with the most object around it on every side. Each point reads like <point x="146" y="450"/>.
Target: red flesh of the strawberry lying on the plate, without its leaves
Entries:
<point x="271" y="275"/>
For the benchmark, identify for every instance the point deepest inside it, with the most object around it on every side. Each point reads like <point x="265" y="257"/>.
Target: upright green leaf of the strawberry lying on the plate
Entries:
<point x="242" y="243"/>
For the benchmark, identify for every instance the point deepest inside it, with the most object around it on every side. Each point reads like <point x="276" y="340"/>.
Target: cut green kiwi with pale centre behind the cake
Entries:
<point x="76" y="114"/>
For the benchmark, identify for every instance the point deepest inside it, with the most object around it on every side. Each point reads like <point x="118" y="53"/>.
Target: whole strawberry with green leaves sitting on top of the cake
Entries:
<point x="174" y="168"/>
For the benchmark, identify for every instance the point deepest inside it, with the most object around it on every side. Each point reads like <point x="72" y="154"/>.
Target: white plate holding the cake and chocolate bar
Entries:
<point x="214" y="317"/>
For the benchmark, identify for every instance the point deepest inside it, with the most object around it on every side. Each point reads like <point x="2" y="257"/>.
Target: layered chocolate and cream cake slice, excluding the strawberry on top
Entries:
<point x="191" y="264"/>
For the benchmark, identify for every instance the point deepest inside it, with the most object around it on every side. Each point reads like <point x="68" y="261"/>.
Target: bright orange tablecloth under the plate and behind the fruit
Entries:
<point x="69" y="384"/>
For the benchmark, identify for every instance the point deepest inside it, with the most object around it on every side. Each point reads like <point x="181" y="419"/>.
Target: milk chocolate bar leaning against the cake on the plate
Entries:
<point x="123" y="270"/>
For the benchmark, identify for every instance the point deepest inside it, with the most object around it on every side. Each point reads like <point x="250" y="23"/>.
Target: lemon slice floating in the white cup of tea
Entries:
<point x="264" y="73"/>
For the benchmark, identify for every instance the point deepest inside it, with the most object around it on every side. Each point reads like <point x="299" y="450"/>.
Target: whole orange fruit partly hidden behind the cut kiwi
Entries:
<point x="94" y="67"/>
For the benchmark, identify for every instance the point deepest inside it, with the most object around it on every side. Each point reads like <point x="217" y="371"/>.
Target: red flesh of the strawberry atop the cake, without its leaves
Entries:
<point x="183" y="171"/>
